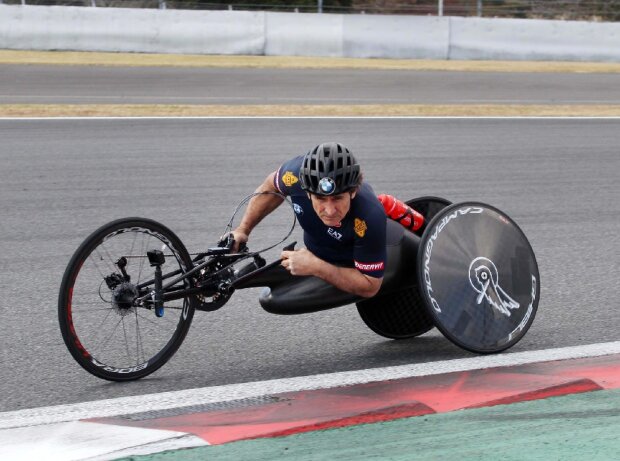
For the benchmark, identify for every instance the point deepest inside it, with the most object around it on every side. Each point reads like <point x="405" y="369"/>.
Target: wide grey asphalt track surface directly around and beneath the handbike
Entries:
<point x="60" y="179"/>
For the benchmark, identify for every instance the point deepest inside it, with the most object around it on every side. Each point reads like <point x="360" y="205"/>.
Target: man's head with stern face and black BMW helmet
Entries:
<point x="331" y="176"/>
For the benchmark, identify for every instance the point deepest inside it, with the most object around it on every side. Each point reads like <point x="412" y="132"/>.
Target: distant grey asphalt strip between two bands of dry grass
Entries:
<point x="58" y="84"/>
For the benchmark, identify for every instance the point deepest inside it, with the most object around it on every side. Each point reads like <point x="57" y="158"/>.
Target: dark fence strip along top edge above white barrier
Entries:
<point x="592" y="10"/>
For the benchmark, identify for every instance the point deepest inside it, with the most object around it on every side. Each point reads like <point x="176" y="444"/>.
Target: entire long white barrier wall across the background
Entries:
<point x="302" y="34"/>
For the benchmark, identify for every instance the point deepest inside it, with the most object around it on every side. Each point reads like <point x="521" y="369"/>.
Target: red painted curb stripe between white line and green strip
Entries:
<point x="337" y="407"/>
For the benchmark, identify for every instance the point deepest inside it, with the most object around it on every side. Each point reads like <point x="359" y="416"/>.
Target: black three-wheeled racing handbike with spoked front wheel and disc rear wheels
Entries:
<point x="130" y="291"/>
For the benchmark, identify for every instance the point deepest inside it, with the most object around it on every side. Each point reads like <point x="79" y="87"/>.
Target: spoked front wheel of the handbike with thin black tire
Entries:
<point x="112" y="340"/>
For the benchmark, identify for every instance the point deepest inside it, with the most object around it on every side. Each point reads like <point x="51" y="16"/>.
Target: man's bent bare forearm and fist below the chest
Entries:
<point x="304" y="262"/>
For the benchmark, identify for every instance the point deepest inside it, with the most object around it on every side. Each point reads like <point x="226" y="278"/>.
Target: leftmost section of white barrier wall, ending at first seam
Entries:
<point x="138" y="30"/>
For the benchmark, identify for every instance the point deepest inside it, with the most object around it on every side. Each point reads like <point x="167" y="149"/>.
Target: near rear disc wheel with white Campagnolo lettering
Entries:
<point x="479" y="277"/>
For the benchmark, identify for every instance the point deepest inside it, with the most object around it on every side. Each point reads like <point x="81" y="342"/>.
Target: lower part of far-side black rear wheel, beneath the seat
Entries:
<point x="399" y="315"/>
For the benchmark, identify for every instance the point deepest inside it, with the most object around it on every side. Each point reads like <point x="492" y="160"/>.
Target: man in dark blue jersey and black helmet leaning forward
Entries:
<point x="343" y="221"/>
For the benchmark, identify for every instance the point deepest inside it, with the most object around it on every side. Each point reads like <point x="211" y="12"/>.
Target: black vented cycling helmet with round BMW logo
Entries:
<point x="329" y="169"/>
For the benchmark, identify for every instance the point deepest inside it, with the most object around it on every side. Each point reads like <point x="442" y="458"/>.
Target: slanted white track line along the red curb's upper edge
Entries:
<point x="176" y="399"/>
